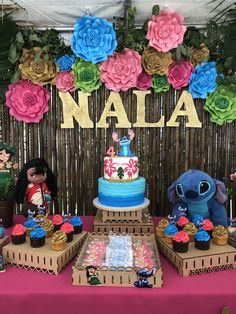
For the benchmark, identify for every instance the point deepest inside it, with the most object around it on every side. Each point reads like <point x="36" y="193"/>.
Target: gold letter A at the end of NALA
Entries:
<point x="190" y="111"/>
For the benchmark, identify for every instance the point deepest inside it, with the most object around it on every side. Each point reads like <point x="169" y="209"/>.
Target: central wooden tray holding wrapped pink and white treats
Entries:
<point x="115" y="277"/>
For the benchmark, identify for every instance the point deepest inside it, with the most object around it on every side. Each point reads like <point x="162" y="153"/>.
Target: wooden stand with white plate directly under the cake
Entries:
<point x="135" y="219"/>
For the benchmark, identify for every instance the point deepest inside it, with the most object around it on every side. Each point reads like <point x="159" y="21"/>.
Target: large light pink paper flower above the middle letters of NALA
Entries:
<point x="121" y="70"/>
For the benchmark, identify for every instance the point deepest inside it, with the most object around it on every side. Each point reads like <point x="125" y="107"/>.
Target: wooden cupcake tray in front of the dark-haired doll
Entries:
<point x="44" y="258"/>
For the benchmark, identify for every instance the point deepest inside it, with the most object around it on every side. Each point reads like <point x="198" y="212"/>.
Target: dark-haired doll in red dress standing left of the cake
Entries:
<point x="36" y="186"/>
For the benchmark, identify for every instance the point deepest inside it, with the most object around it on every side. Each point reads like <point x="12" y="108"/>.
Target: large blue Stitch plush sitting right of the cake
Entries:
<point x="201" y="195"/>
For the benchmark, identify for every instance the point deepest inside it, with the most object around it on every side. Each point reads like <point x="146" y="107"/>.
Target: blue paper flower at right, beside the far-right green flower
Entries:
<point x="203" y="80"/>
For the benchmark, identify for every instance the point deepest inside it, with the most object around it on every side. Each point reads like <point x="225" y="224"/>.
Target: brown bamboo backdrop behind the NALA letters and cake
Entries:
<point x="76" y="155"/>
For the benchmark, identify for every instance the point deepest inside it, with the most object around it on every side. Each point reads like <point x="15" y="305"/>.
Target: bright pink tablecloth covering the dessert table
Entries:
<point x="30" y="292"/>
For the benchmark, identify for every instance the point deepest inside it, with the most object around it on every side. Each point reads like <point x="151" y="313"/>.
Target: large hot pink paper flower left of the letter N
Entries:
<point x="27" y="101"/>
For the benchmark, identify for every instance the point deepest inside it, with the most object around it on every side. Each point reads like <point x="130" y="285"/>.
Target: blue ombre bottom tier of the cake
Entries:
<point x="121" y="194"/>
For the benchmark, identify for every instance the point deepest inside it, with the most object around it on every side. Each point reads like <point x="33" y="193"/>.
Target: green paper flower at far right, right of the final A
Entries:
<point x="222" y="104"/>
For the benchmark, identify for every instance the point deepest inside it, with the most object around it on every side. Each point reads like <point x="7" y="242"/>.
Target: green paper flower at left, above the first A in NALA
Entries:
<point x="87" y="76"/>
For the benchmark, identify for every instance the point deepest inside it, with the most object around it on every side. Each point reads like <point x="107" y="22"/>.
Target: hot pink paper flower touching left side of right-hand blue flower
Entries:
<point x="179" y="74"/>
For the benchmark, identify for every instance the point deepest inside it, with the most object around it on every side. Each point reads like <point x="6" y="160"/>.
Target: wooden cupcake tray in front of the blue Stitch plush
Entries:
<point x="197" y="261"/>
